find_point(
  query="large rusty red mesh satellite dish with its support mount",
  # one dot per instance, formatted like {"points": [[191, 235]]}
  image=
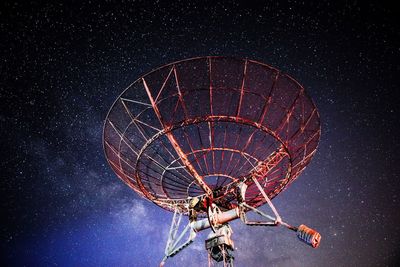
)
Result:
{"points": [[213, 138]]}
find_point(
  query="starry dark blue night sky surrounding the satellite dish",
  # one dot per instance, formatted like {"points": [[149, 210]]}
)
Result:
{"points": [[63, 65]]}
